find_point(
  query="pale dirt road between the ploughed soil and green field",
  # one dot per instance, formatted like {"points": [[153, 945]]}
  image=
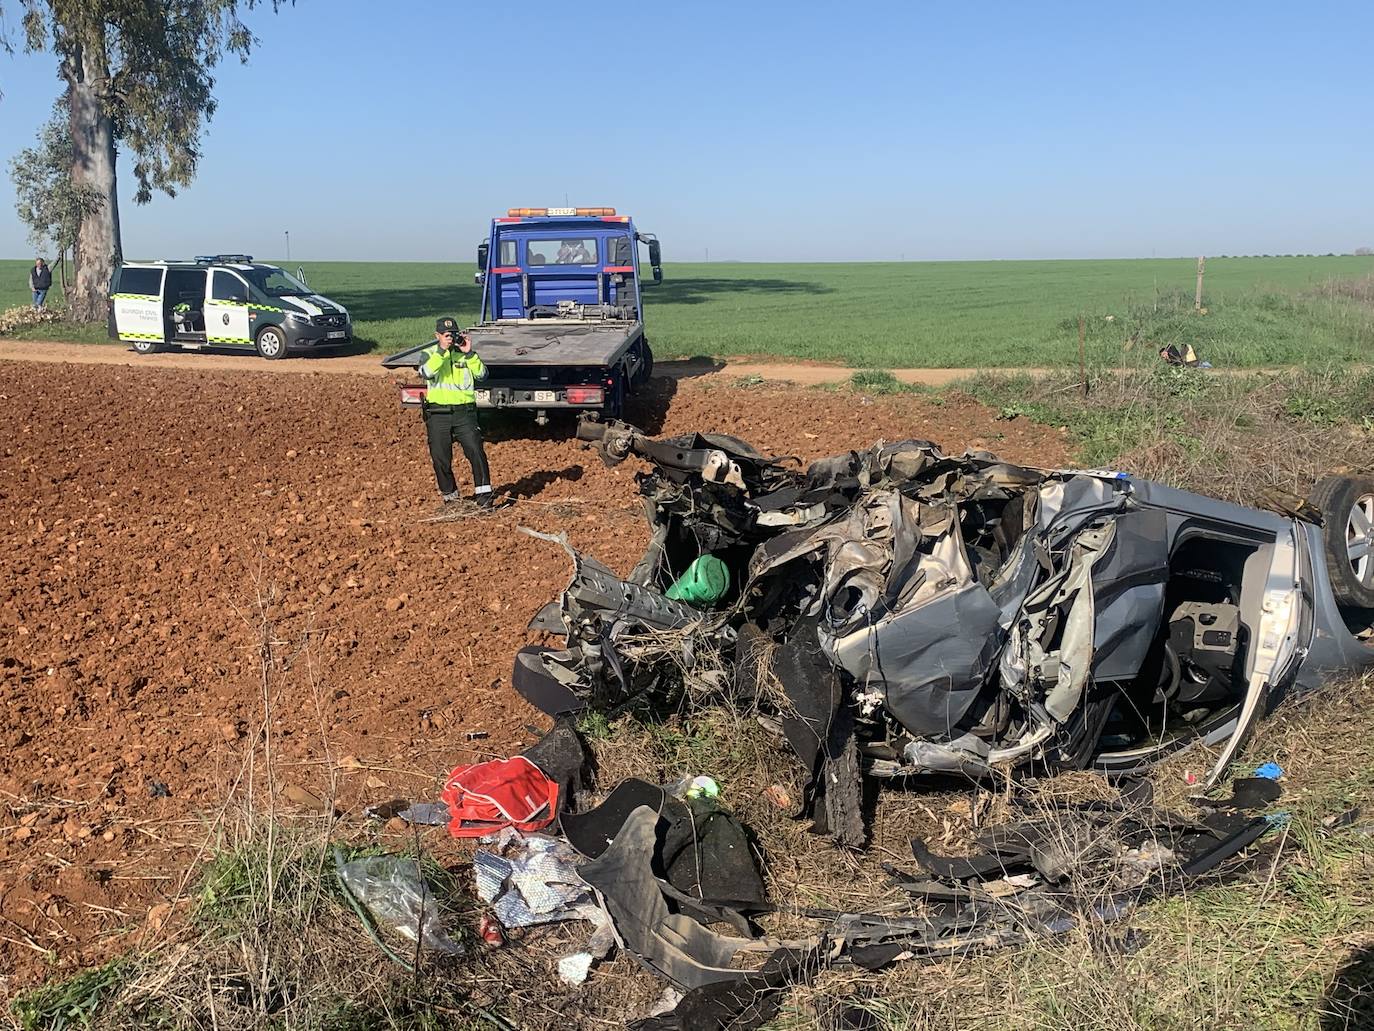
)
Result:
{"points": [[225, 359]]}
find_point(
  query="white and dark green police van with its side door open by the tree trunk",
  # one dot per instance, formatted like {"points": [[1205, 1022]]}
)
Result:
{"points": [[222, 300]]}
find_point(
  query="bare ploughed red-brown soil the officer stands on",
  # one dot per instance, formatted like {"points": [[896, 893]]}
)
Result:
{"points": [[159, 526]]}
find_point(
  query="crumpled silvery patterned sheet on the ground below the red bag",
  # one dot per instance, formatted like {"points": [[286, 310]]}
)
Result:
{"points": [[531, 880]]}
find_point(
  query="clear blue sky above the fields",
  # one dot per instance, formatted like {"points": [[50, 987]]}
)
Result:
{"points": [[776, 131]]}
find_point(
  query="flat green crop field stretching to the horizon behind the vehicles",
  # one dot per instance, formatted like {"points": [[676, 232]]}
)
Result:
{"points": [[943, 314]]}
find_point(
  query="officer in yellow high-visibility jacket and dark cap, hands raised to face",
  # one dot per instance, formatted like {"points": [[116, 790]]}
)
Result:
{"points": [[451, 368]]}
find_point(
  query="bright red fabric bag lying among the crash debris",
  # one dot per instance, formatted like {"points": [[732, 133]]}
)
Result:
{"points": [[499, 794]]}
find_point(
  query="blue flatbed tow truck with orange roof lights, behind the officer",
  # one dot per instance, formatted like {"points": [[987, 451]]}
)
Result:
{"points": [[561, 324]]}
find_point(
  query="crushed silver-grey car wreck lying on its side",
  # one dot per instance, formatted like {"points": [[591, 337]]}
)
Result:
{"points": [[908, 612]]}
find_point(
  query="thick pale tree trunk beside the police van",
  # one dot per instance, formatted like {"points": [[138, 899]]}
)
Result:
{"points": [[97, 252]]}
